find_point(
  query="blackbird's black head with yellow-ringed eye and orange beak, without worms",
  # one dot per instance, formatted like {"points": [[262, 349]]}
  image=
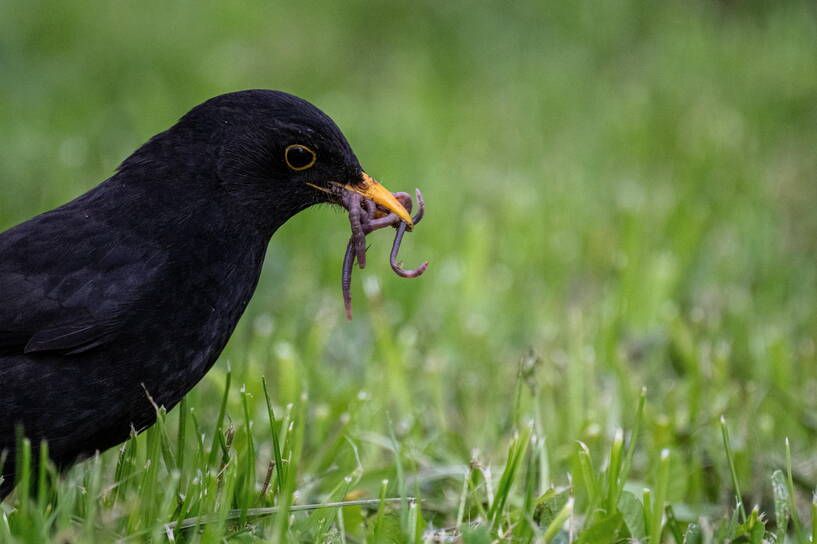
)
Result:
{"points": [[277, 154]]}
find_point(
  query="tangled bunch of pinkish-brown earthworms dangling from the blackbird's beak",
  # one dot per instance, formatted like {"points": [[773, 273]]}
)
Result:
{"points": [[363, 220]]}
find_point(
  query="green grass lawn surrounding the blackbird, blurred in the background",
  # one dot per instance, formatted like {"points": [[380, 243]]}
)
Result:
{"points": [[622, 234]]}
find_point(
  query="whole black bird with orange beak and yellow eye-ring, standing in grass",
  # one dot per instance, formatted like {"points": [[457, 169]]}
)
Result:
{"points": [[130, 291]]}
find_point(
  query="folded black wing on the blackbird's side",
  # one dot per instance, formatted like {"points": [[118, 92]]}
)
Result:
{"points": [[68, 287]]}
